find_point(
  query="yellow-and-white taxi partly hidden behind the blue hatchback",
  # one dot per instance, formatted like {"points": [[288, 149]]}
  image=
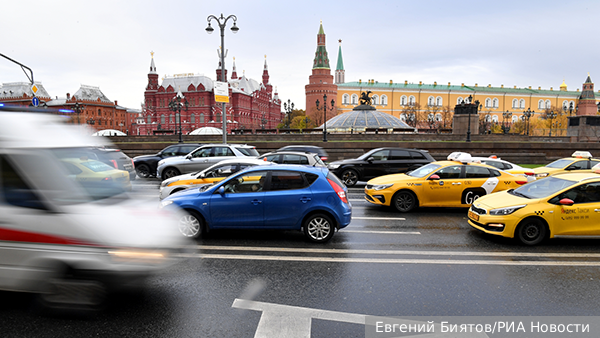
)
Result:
{"points": [[210, 175]]}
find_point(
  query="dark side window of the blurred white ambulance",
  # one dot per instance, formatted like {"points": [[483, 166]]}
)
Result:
{"points": [[14, 190]]}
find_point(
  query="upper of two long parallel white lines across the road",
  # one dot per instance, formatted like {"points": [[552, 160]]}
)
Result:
{"points": [[398, 252]]}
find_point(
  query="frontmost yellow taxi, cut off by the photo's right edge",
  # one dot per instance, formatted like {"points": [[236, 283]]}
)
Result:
{"points": [[566, 204]]}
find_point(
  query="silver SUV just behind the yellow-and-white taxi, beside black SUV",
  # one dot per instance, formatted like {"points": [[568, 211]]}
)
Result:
{"points": [[202, 158]]}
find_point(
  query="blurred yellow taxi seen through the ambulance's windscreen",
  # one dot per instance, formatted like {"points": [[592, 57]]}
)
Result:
{"points": [[96, 174]]}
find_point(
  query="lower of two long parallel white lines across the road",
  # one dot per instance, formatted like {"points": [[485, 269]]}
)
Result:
{"points": [[390, 261]]}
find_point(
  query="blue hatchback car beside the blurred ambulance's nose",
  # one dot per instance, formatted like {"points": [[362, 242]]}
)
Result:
{"points": [[282, 197]]}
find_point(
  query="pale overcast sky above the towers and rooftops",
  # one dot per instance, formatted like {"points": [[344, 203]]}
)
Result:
{"points": [[107, 44]]}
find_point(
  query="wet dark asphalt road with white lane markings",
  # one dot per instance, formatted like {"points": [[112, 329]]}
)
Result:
{"points": [[276, 284]]}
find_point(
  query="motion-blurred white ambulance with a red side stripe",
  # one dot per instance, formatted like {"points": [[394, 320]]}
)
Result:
{"points": [[70, 241]]}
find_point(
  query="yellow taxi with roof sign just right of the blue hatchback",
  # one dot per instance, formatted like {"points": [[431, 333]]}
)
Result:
{"points": [[456, 182]]}
